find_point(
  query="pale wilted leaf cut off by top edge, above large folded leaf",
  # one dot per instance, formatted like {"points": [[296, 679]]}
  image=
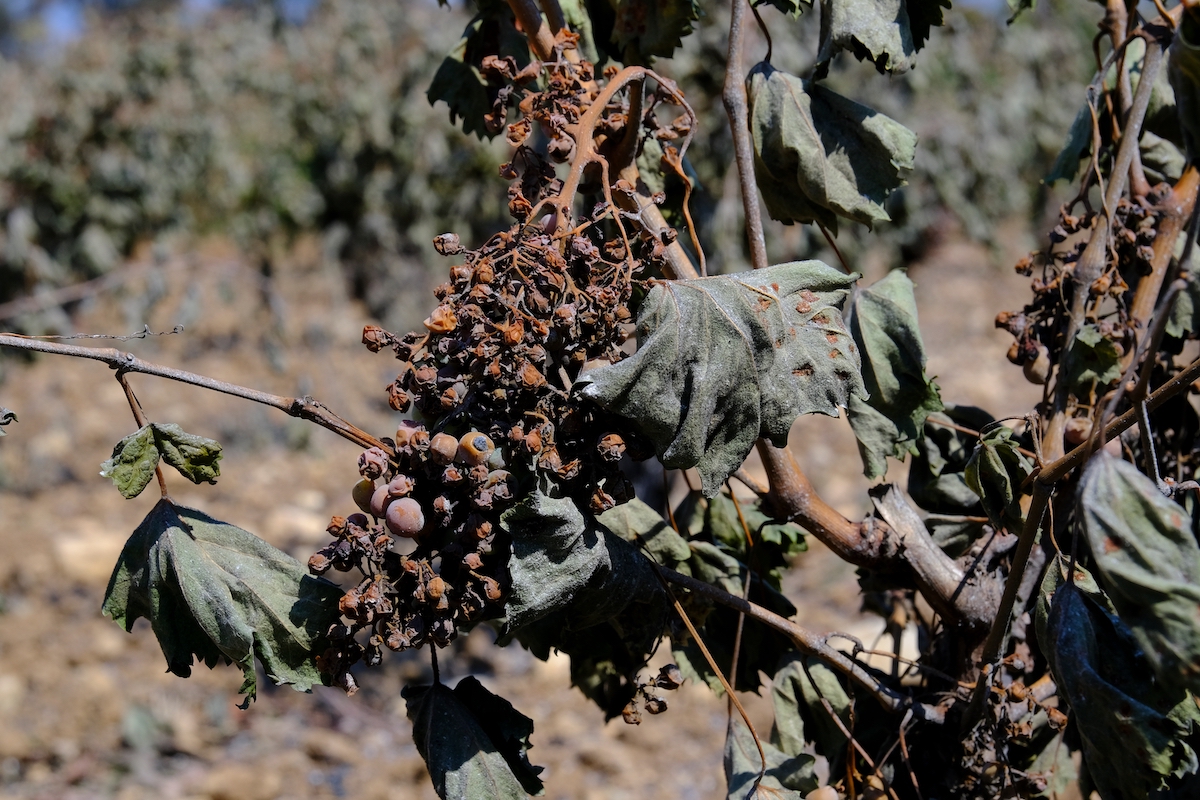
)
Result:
{"points": [[886, 33]]}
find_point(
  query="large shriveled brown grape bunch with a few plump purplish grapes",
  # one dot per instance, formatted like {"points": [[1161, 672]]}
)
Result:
{"points": [[490, 381]]}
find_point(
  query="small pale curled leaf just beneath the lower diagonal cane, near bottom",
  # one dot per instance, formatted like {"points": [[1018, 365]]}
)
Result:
{"points": [[797, 690]]}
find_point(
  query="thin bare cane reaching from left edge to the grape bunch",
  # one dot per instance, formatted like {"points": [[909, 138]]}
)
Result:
{"points": [[305, 408]]}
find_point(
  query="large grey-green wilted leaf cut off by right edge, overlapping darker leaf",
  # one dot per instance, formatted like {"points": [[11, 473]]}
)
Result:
{"points": [[1149, 564]]}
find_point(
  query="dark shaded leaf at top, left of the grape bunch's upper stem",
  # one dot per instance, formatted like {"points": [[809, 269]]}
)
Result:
{"points": [[459, 81]]}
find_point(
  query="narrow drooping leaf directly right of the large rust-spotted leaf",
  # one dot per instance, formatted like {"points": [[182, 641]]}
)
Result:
{"points": [[891, 422]]}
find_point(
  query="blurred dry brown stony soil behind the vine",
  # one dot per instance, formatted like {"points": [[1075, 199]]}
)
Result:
{"points": [[87, 709]]}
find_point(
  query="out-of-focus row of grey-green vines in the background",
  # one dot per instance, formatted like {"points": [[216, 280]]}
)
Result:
{"points": [[158, 128]]}
